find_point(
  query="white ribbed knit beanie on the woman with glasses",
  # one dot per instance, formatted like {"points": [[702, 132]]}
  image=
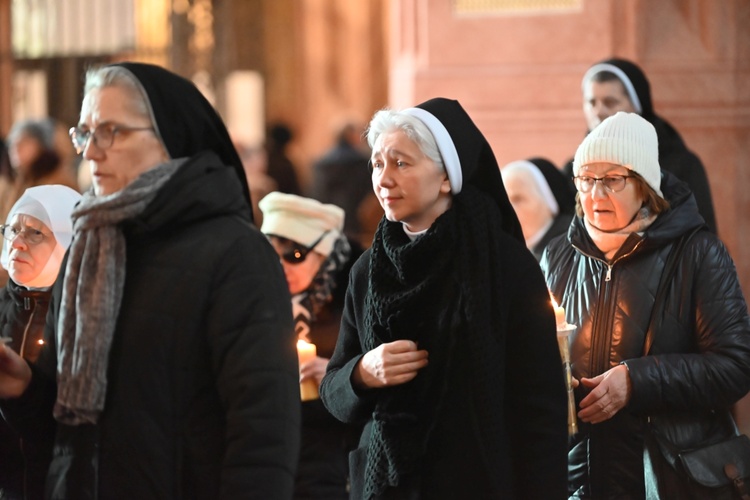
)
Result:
{"points": [[625, 139]]}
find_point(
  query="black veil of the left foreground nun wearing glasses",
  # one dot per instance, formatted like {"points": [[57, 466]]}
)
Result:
{"points": [[185, 121]]}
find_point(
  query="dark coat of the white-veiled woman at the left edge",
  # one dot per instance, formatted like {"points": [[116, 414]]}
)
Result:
{"points": [[23, 465]]}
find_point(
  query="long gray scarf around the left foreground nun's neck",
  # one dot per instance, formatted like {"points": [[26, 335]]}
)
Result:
{"points": [[92, 292]]}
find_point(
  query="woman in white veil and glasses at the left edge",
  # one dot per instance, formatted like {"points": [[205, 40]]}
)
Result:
{"points": [[36, 235]]}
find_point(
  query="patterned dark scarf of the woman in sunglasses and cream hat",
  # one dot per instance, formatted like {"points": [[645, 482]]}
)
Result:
{"points": [[307, 304]]}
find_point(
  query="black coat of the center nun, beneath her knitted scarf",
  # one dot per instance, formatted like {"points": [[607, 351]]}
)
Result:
{"points": [[456, 466]]}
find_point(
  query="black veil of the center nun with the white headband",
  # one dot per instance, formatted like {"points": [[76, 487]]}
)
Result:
{"points": [[478, 163]]}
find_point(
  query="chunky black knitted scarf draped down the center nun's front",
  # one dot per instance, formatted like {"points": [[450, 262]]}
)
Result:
{"points": [[437, 291]]}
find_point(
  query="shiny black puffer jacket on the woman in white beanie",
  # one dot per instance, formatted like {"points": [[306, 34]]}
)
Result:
{"points": [[700, 358]]}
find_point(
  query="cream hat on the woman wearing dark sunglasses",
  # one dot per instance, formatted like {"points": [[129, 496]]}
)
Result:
{"points": [[302, 220]]}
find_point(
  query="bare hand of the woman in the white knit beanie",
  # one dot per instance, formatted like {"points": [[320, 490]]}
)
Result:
{"points": [[610, 393]]}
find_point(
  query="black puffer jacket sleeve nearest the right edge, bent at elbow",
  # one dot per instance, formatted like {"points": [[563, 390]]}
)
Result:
{"points": [[715, 373]]}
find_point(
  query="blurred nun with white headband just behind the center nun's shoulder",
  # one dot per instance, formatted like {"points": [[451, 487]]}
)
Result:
{"points": [[540, 196]]}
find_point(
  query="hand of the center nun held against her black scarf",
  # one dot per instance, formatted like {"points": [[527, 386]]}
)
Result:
{"points": [[390, 364]]}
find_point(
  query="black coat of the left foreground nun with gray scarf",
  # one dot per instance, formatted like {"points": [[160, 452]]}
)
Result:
{"points": [[203, 393]]}
